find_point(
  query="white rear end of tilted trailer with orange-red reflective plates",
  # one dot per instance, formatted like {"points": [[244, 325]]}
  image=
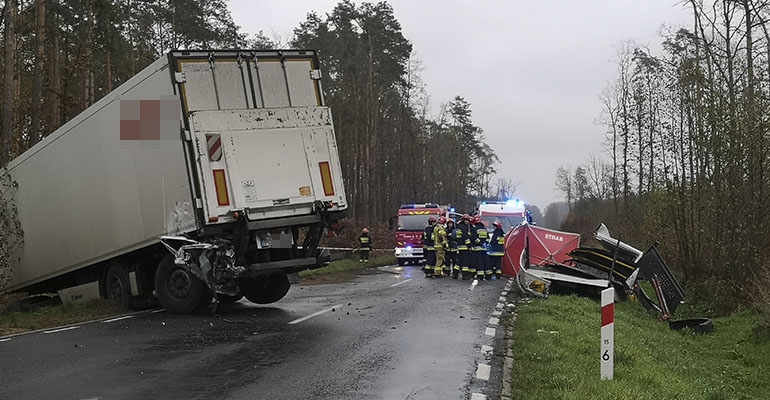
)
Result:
{"points": [[263, 141]]}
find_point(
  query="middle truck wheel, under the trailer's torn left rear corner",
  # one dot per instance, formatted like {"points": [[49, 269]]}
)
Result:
{"points": [[178, 291]]}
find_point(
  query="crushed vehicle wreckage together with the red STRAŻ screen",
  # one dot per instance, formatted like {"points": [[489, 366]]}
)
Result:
{"points": [[539, 258]]}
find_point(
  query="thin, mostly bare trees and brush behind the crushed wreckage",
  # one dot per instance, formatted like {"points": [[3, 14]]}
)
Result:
{"points": [[688, 146]]}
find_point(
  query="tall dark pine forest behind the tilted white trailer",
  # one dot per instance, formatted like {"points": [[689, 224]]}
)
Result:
{"points": [[59, 57]]}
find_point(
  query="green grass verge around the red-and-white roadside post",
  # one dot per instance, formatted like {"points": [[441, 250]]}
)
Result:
{"points": [[556, 355]]}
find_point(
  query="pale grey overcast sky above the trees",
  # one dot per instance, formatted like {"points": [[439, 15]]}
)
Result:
{"points": [[532, 70]]}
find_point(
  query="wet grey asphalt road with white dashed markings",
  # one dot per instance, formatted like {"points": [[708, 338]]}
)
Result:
{"points": [[388, 334]]}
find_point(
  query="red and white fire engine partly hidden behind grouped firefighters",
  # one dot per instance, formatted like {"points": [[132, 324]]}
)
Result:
{"points": [[412, 219]]}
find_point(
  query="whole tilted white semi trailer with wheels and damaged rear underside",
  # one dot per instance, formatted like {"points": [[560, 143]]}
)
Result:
{"points": [[209, 173]]}
